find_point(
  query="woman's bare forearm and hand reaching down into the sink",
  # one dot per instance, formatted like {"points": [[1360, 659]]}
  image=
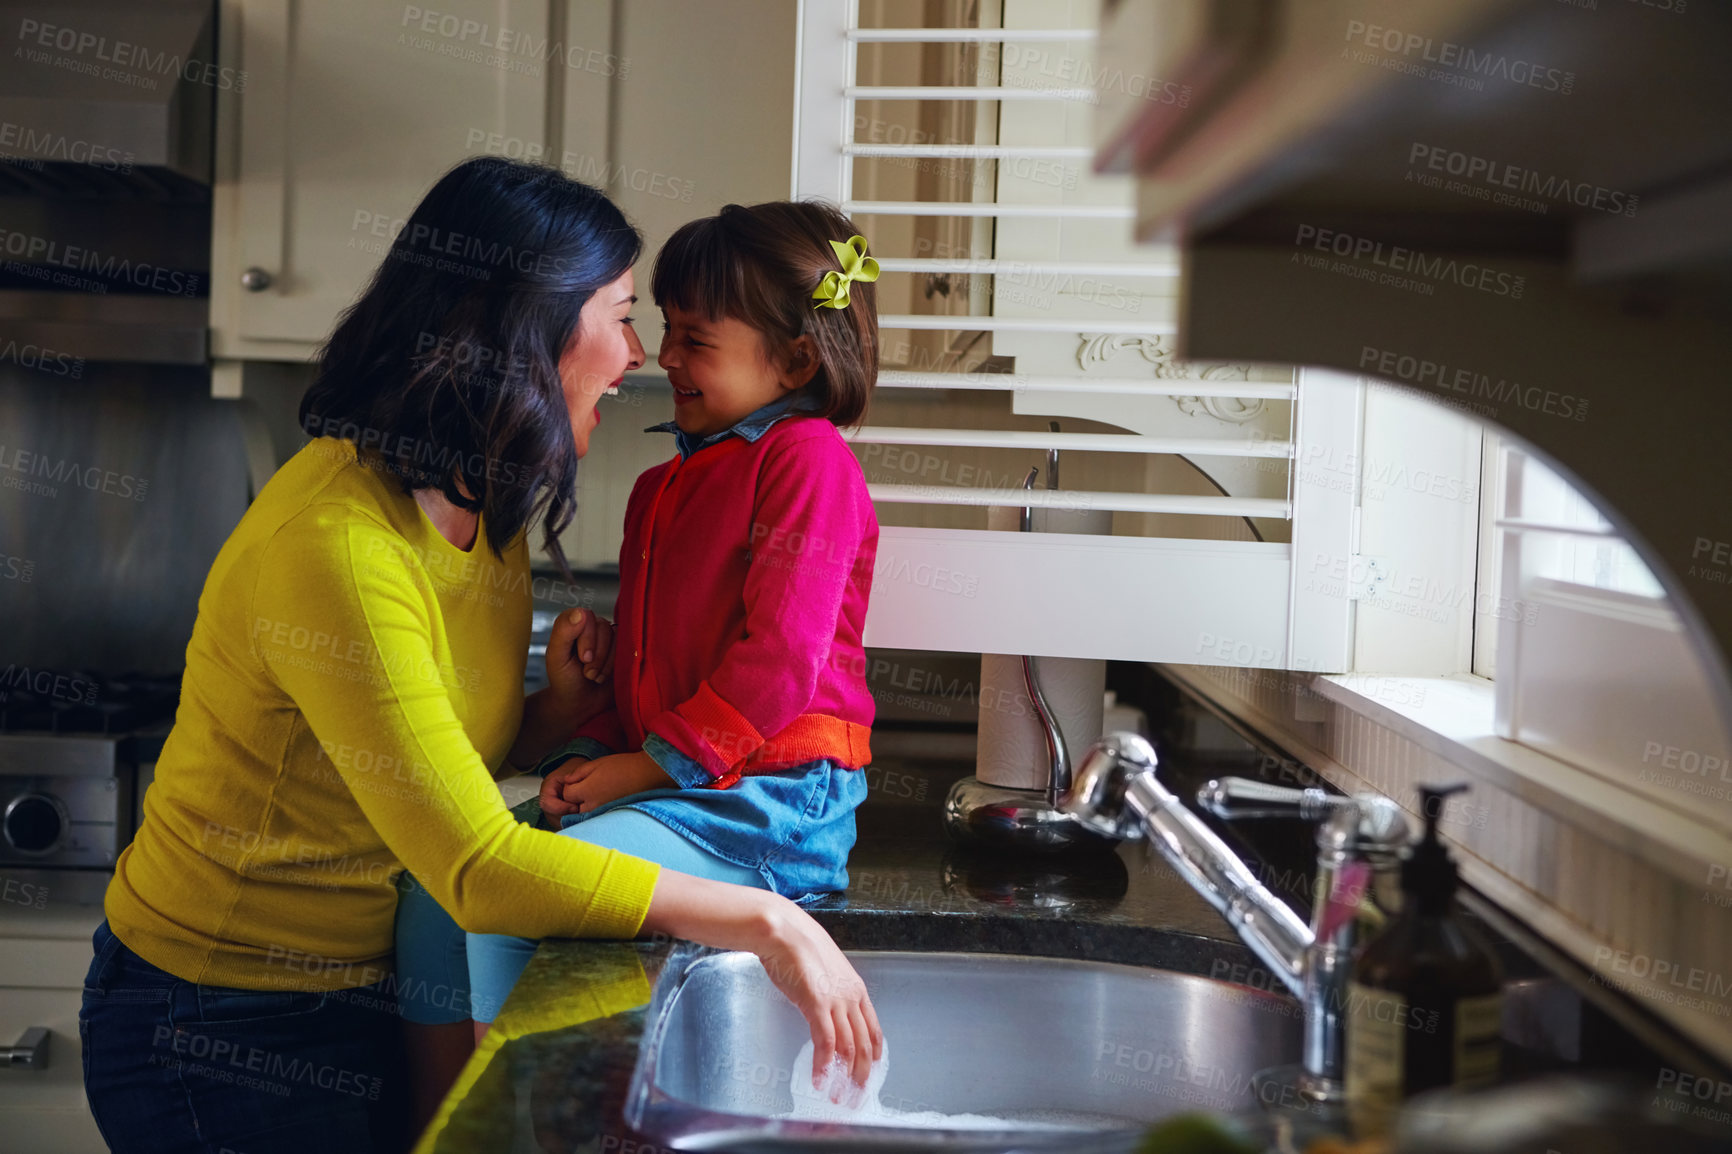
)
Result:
{"points": [[798, 954]]}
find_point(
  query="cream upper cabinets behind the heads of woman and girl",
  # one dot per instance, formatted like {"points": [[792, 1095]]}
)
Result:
{"points": [[354, 108]]}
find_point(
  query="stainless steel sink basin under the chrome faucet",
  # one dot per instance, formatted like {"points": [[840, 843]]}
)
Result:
{"points": [[1042, 1044]]}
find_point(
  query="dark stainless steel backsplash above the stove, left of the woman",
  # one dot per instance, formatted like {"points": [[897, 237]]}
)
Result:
{"points": [[117, 491]]}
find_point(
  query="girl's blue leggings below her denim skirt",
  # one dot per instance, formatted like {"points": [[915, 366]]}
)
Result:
{"points": [[449, 976]]}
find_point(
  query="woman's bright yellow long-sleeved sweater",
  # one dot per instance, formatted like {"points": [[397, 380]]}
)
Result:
{"points": [[351, 680]]}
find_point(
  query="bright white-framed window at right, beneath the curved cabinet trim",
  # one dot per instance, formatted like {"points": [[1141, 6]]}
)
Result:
{"points": [[1587, 658]]}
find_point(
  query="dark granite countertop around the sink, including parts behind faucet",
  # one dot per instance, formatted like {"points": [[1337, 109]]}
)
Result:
{"points": [[560, 1060]]}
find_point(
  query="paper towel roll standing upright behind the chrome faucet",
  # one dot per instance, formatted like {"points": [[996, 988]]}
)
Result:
{"points": [[1012, 751]]}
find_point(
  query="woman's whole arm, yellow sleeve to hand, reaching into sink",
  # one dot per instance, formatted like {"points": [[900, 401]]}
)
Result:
{"points": [[373, 684]]}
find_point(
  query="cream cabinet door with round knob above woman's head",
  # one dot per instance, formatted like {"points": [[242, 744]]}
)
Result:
{"points": [[347, 115]]}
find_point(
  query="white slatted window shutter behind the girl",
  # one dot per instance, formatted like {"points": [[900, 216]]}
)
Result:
{"points": [[1222, 496]]}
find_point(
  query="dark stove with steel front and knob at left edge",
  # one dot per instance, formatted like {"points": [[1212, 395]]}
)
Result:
{"points": [[72, 746]]}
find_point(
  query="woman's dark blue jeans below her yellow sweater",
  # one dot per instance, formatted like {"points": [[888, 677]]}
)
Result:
{"points": [[174, 1066]]}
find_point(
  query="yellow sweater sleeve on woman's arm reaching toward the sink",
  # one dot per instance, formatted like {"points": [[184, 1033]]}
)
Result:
{"points": [[415, 774]]}
